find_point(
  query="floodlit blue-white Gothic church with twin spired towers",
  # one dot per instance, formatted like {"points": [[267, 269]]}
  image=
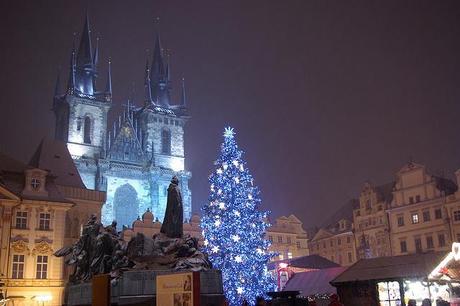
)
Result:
{"points": [[134, 159]]}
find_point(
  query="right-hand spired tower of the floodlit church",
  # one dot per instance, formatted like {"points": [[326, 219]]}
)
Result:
{"points": [[162, 124]]}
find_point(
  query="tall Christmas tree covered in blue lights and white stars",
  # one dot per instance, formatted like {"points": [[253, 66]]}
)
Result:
{"points": [[234, 228]]}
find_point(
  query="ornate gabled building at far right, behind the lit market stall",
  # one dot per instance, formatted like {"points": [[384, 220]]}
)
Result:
{"points": [[418, 216]]}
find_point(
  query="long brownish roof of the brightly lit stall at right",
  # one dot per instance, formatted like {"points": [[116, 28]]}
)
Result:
{"points": [[391, 267]]}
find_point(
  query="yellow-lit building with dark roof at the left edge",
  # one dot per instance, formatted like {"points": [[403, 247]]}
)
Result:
{"points": [[36, 203]]}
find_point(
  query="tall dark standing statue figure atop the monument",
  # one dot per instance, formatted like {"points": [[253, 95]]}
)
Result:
{"points": [[174, 217]]}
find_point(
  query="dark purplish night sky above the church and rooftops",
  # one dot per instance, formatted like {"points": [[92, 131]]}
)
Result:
{"points": [[324, 95]]}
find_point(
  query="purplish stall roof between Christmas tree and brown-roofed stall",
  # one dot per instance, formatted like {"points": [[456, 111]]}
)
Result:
{"points": [[314, 282]]}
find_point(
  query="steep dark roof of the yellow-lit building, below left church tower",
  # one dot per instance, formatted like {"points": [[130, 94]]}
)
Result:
{"points": [[54, 157]]}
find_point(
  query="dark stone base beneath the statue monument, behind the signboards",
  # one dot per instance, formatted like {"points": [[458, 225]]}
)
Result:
{"points": [[139, 288]]}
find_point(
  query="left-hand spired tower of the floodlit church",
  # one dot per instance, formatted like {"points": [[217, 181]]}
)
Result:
{"points": [[81, 112]]}
